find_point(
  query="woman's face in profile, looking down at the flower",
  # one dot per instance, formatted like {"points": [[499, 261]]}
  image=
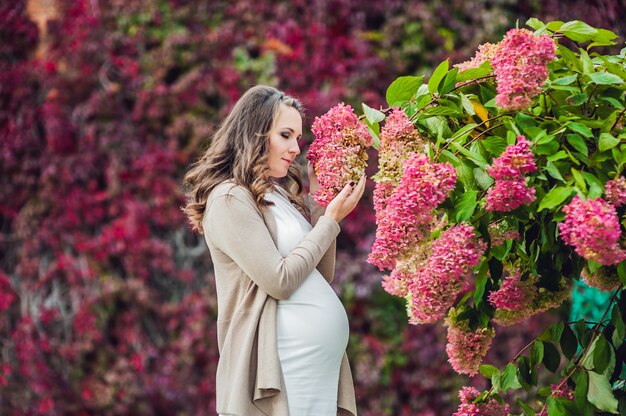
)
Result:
{"points": [[283, 141]]}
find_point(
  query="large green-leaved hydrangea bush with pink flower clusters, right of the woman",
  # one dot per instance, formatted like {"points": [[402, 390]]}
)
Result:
{"points": [[499, 206]]}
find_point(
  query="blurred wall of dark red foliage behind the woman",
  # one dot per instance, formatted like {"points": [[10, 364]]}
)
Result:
{"points": [[107, 304]]}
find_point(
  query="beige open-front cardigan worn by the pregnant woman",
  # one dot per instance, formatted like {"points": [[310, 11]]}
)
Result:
{"points": [[250, 276]]}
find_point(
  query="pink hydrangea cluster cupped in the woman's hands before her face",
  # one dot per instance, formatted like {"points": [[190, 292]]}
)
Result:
{"points": [[338, 153]]}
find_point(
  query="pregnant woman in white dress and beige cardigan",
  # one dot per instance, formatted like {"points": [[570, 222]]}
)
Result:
{"points": [[282, 332]]}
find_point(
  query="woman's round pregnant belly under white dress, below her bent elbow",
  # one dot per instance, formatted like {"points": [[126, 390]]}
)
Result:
{"points": [[312, 325]]}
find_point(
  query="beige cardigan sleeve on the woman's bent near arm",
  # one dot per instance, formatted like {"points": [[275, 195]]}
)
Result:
{"points": [[236, 227]]}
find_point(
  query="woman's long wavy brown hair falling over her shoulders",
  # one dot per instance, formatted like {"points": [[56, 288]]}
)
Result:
{"points": [[239, 152]]}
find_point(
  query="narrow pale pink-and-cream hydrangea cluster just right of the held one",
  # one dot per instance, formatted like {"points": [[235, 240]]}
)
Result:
{"points": [[398, 140]]}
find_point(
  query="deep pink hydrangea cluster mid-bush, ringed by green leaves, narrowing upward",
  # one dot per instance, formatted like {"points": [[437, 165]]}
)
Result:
{"points": [[510, 190]]}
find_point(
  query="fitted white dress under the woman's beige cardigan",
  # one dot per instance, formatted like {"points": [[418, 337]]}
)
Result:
{"points": [[312, 326]]}
